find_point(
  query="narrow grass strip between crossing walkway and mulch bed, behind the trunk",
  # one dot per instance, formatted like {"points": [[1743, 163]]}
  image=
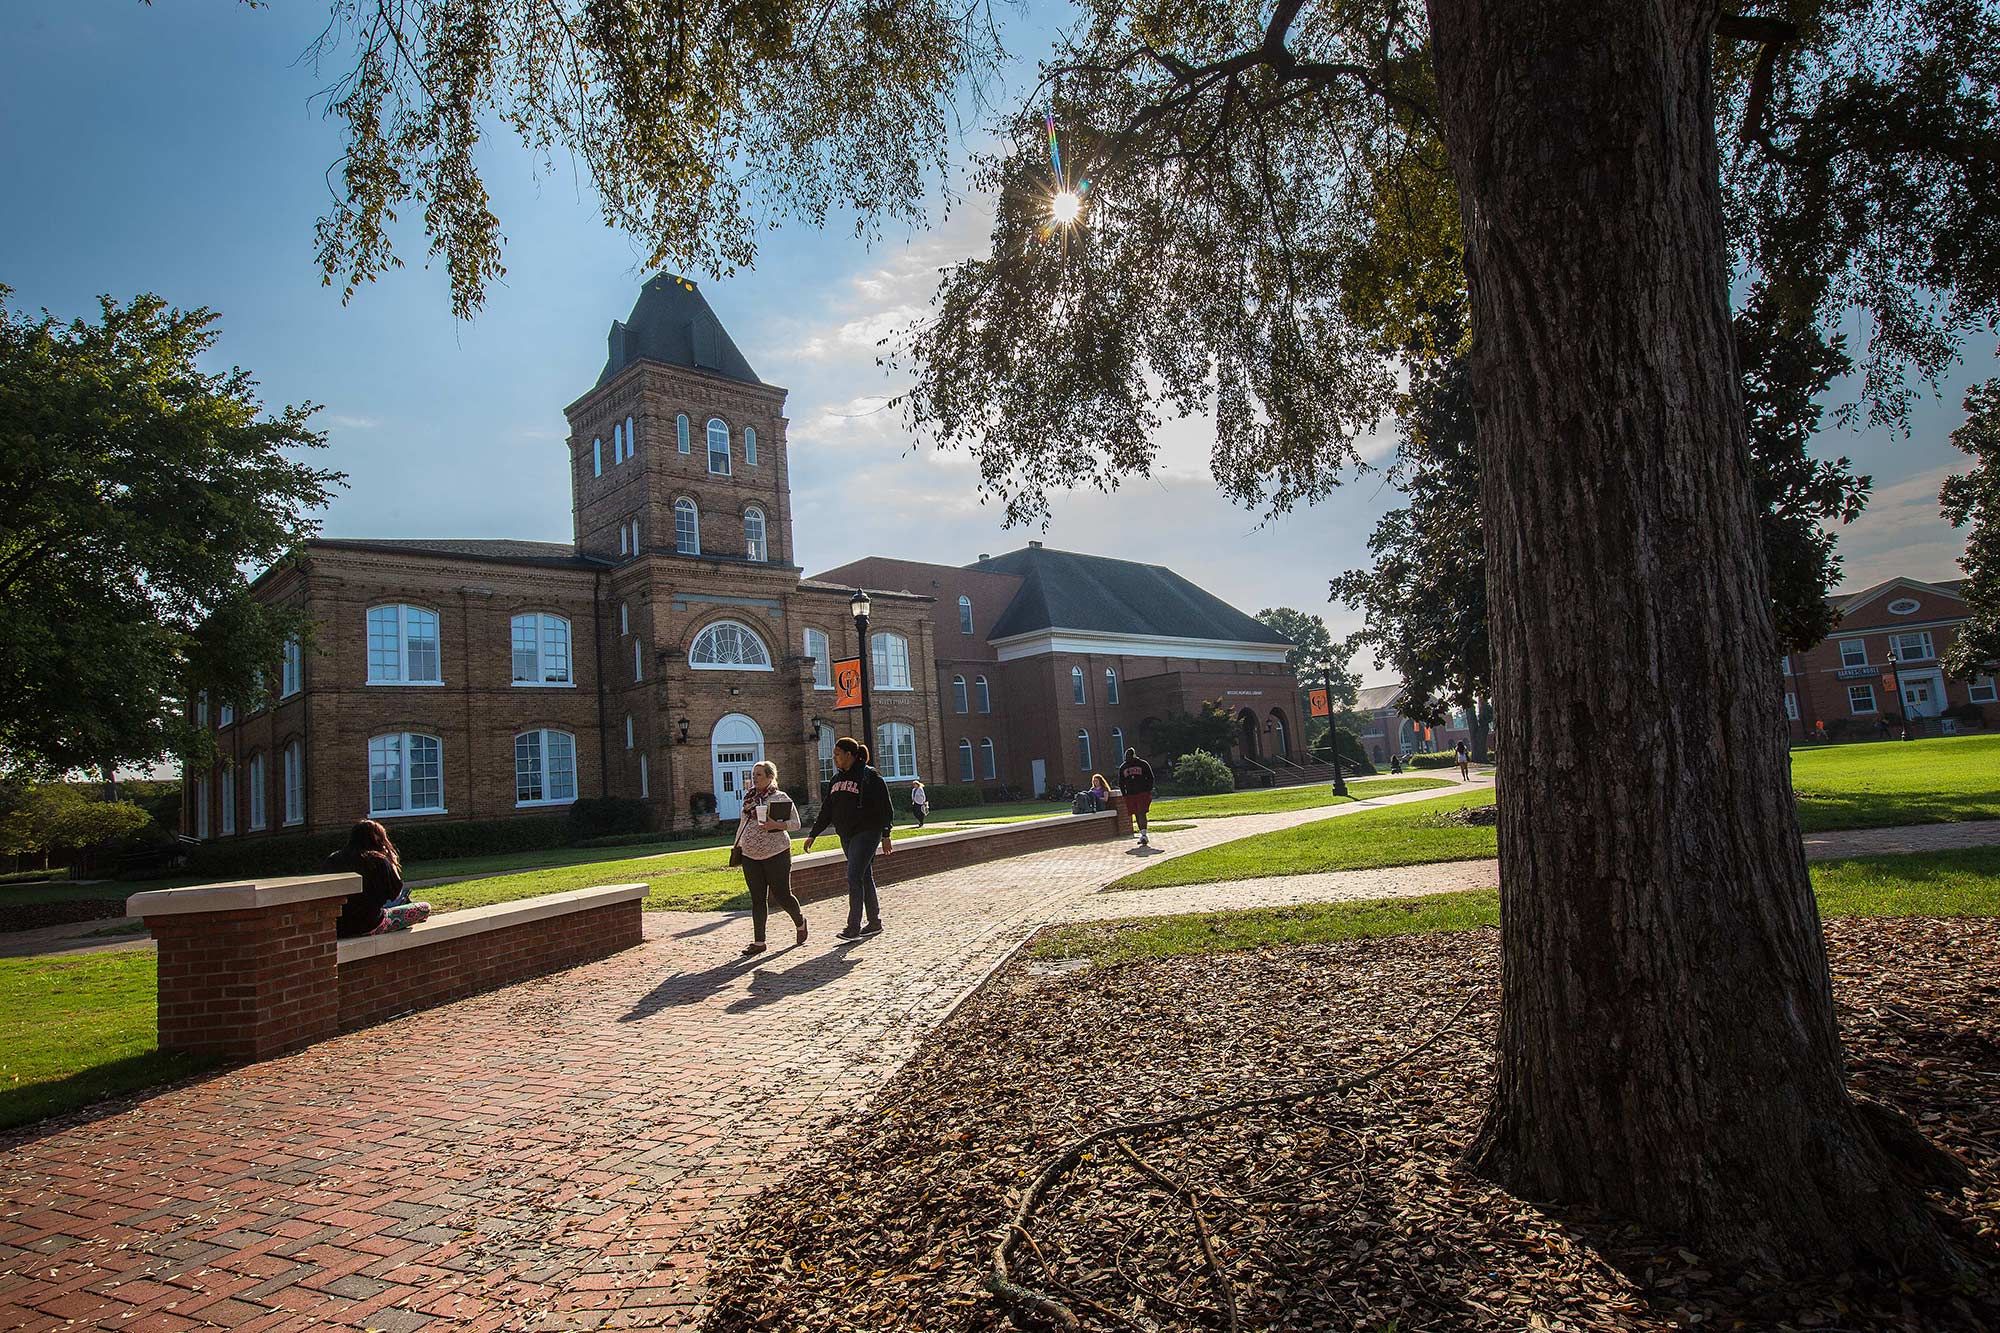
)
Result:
{"points": [[1957, 884]]}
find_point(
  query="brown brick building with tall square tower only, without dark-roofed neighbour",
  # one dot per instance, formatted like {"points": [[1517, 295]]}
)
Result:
{"points": [[661, 653]]}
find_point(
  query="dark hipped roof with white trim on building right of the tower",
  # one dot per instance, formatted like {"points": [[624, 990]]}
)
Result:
{"points": [[1063, 589]]}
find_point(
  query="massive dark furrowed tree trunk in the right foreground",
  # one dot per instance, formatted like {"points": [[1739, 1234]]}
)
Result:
{"points": [[1667, 1034]]}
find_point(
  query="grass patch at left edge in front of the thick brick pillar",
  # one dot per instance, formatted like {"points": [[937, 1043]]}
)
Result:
{"points": [[79, 1030]]}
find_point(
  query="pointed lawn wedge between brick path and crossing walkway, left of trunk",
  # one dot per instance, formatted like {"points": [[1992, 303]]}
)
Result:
{"points": [[1399, 836]]}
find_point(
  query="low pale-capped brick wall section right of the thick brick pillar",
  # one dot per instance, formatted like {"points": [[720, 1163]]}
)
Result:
{"points": [[485, 948]]}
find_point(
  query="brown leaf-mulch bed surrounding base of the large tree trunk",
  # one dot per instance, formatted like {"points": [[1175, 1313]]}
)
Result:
{"points": [[1339, 1214]]}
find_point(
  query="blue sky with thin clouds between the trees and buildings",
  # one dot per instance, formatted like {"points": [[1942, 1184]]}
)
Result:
{"points": [[177, 149]]}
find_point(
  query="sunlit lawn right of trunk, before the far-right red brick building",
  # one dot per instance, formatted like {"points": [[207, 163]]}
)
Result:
{"points": [[1897, 784]]}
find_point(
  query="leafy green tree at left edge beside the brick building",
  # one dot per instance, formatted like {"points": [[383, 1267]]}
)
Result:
{"points": [[133, 493]]}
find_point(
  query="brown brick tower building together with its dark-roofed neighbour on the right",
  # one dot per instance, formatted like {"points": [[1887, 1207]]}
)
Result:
{"points": [[677, 641]]}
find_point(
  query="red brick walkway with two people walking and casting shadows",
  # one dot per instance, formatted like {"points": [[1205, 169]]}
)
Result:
{"points": [[551, 1156]]}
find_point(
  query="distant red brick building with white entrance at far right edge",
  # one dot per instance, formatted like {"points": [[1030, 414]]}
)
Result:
{"points": [[1855, 686]]}
